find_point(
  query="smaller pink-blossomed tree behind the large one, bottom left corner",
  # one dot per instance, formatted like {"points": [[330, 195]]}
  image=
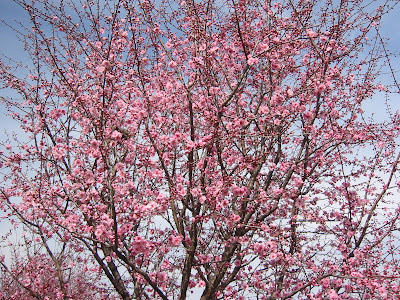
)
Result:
{"points": [[39, 277]]}
